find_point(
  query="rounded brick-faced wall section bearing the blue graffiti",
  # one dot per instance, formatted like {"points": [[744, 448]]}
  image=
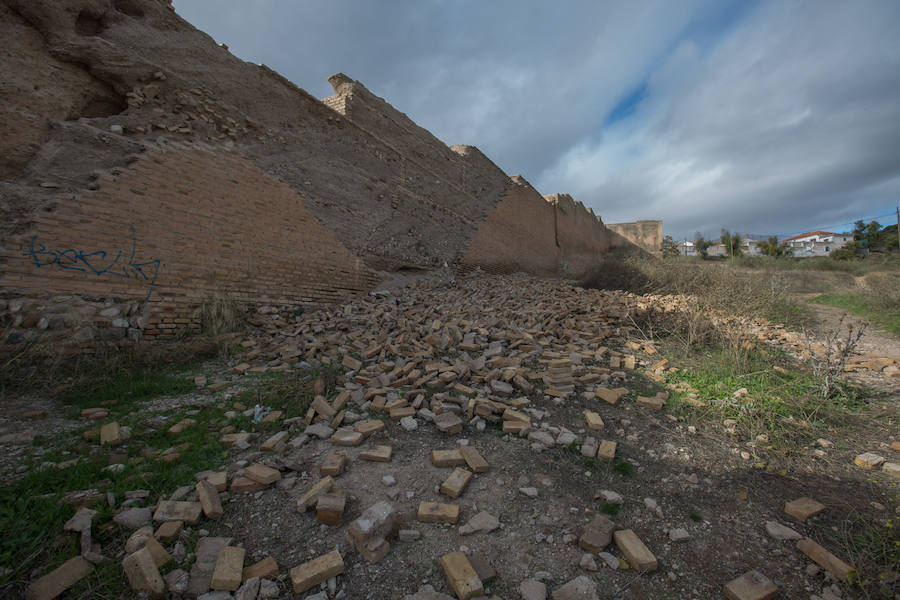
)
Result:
{"points": [[174, 229]]}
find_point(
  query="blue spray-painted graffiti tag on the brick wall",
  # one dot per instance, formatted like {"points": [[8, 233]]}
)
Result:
{"points": [[96, 262]]}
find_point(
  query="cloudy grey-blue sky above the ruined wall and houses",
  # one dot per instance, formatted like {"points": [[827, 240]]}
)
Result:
{"points": [[765, 117]]}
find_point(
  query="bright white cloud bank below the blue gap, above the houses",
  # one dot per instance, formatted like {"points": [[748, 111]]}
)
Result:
{"points": [[791, 122]]}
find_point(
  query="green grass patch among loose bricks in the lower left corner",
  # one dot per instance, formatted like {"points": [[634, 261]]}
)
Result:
{"points": [[32, 516]]}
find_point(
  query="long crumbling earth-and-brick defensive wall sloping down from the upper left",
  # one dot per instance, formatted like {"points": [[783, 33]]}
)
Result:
{"points": [[144, 170]]}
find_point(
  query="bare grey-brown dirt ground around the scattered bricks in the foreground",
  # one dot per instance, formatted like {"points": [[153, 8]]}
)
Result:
{"points": [[672, 473]]}
